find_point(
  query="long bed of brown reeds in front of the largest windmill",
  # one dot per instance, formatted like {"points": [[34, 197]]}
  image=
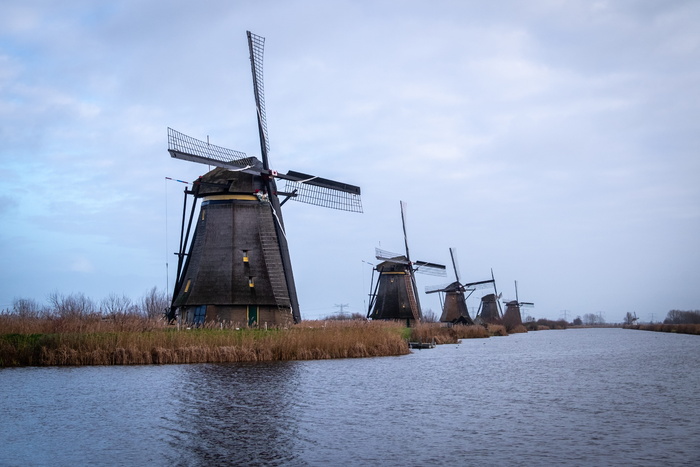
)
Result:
{"points": [[156, 343]]}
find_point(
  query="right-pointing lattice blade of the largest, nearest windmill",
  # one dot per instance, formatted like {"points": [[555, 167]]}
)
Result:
{"points": [[322, 191]]}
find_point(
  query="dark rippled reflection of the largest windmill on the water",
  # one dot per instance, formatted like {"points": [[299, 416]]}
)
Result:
{"points": [[239, 410]]}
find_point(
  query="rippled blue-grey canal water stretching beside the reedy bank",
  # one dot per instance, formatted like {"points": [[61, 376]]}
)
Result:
{"points": [[574, 397]]}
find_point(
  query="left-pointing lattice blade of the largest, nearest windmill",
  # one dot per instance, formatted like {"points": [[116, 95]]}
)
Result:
{"points": [[181, 146]]}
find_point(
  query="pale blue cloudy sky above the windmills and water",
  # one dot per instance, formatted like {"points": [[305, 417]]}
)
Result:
{"points": [[555, 142]]}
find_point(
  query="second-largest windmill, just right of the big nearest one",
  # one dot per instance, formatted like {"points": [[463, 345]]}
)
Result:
{"points": [[395, 295]]}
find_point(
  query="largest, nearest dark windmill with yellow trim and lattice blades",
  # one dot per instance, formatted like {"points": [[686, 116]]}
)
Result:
{"points": [[238, 267]]}
